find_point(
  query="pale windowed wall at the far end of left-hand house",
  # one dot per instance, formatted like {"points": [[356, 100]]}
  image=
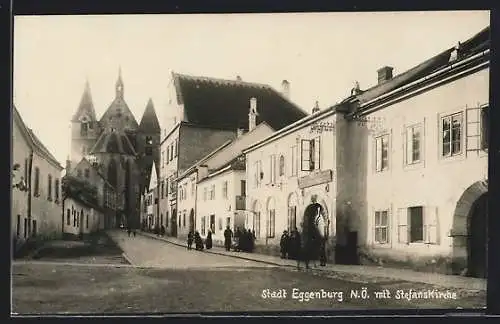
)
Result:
{"points": [[46, 210]]}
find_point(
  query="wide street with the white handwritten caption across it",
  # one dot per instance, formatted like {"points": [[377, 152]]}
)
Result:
{"points": [[177, 280]]}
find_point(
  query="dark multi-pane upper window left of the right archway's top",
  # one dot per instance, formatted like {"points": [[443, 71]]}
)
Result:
{"points": [[451, 134]]}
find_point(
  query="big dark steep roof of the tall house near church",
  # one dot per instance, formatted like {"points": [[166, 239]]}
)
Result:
{"points": [[225, 103]]}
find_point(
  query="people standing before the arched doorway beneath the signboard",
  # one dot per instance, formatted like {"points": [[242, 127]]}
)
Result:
{"points": [[310, 248]]}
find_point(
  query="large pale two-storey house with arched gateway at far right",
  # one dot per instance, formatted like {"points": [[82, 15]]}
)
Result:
{"points": [[416, 167]]}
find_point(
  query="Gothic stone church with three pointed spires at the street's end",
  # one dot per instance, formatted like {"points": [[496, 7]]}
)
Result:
{"points": [[119, 147]]}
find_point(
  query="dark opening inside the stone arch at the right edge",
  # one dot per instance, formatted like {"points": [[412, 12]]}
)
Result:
{"points": [[477, 247]]}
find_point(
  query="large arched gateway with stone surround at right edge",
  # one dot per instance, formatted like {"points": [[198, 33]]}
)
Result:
{"points": [[470, 231]]}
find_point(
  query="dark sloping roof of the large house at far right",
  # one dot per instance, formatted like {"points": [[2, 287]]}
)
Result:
{"points": [[474, 45]]}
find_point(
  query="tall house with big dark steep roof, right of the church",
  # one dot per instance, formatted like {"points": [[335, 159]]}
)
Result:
{"points": [[203, 114]]}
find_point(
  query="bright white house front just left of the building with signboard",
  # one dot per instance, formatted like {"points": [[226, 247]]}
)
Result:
{"points": [[222, 207]]}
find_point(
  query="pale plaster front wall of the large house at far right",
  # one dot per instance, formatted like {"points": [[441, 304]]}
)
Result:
{"points": [[436, 183]]}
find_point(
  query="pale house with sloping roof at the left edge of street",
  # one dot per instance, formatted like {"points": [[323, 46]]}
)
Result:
{"points": [[36, 189]]}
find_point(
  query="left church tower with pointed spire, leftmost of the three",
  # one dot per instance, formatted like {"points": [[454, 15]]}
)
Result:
{"points": [[84, 127]]}
